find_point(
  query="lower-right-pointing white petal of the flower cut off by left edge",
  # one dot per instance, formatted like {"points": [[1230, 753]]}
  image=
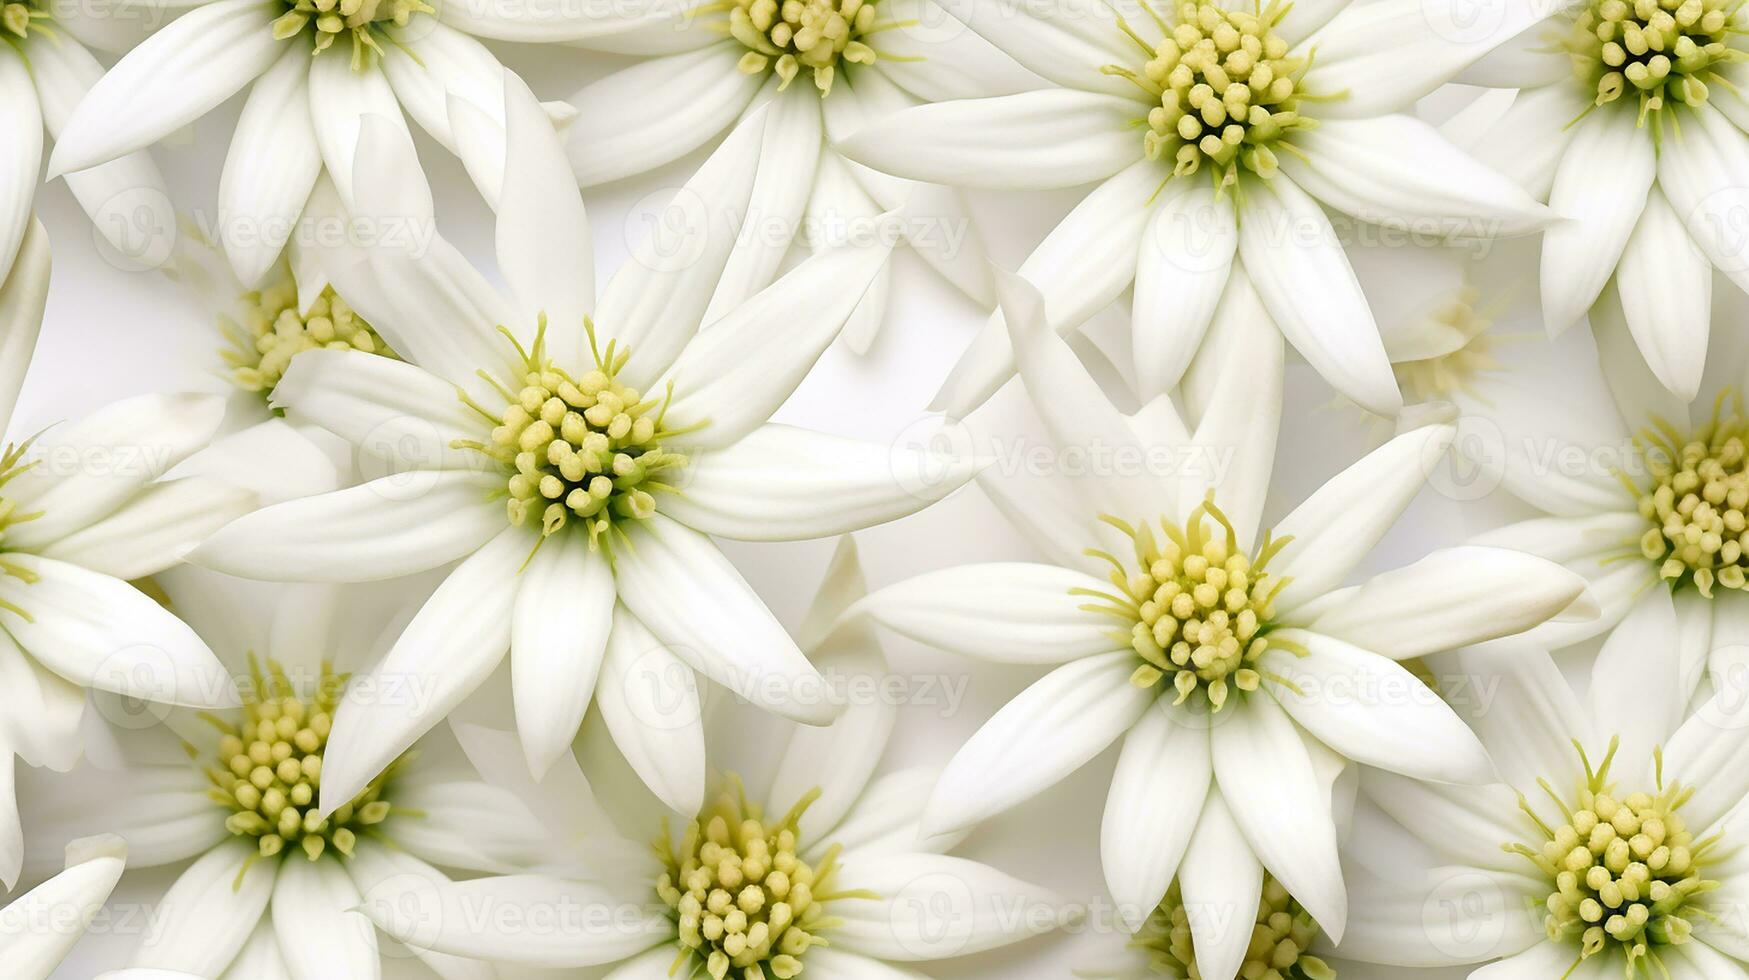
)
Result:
{"points": [[101, 633]]}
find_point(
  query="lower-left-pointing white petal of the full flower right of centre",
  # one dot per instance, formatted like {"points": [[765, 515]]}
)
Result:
{"points": [[1047, 732]]}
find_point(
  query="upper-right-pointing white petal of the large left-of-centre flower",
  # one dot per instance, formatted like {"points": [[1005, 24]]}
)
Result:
{"points": [[739, 372]]}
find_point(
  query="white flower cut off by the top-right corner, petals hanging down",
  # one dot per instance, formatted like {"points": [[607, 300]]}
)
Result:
{"points": [[1629, 122]]}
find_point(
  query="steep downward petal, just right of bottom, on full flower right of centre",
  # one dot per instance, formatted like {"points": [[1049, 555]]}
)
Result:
{"points": [[1267, 781]]}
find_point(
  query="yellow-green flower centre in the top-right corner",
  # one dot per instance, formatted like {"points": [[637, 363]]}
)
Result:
{"points": [[1657, 50]]}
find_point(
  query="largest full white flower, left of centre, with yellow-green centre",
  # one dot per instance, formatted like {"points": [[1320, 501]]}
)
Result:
{"points": [[575, 500]]}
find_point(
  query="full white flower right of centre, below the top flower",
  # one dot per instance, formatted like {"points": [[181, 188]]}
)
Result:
{"points": [[1232, 664]]}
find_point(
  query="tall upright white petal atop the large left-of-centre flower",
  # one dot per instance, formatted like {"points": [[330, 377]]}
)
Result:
{"points": [[543, 237]]}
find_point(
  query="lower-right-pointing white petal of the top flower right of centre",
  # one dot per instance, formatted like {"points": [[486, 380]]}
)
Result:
{"points": [[1299, 267]]}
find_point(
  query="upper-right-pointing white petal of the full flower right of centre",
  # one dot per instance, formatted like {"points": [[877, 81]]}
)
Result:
{"points": [[1341, 522]]}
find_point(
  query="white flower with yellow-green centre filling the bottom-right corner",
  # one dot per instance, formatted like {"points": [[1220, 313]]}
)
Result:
{"points": [[1612, 848]]}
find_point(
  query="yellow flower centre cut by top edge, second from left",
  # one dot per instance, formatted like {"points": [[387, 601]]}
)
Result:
{"points": [[804, 34]]}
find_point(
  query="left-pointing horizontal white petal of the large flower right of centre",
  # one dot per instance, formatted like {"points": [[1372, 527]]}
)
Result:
{"points": [[1007, 613]]}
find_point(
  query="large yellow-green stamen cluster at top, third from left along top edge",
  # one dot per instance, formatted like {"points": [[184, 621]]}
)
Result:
{"points": [[1229, 92]]}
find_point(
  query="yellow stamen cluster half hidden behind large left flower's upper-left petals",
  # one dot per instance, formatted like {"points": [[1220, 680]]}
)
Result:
{"points": [[274, 332]]}
